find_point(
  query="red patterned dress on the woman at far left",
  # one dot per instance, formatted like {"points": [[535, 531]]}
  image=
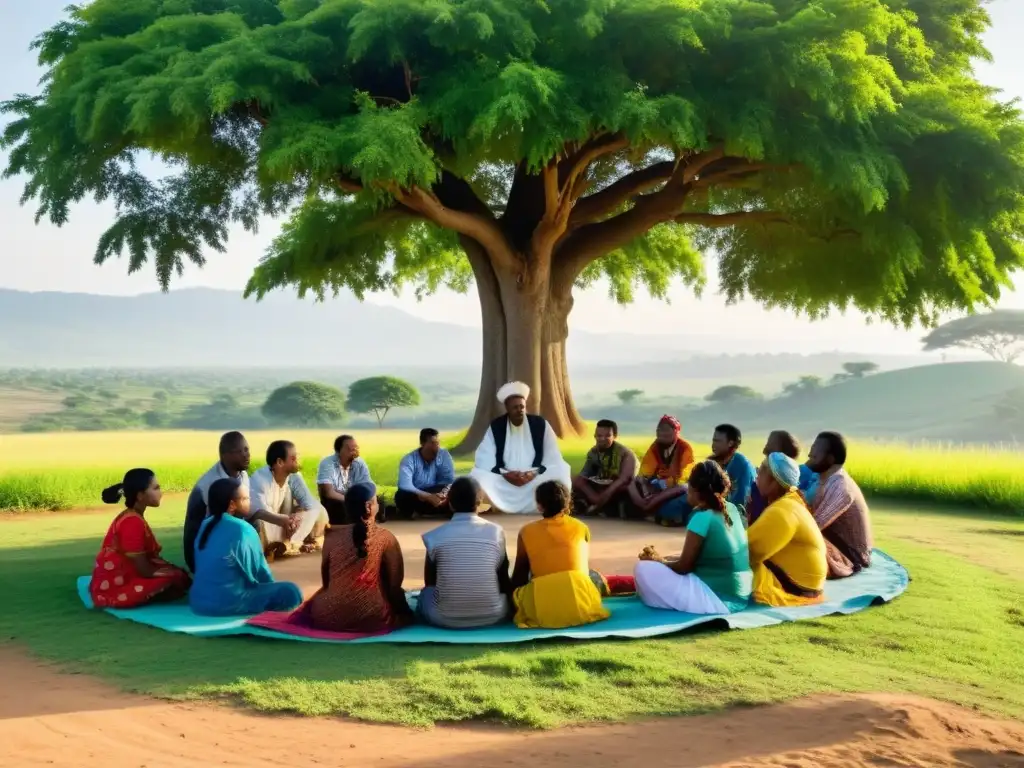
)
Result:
{"points": [[116, 582]]}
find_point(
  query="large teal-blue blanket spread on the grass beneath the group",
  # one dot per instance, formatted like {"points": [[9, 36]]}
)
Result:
{"points": [[885, 581]]}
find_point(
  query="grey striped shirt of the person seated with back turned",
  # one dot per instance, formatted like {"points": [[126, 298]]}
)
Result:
{"points": [[467, 552]]}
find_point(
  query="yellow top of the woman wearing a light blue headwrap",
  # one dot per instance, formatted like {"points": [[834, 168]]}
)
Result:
{"points": [[787, 540]]}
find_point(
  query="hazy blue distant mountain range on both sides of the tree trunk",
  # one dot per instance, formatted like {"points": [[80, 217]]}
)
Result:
{"points": [[205, 328]]}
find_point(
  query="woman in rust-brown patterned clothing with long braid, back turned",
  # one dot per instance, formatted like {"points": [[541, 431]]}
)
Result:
{"points": [[363, 571]]}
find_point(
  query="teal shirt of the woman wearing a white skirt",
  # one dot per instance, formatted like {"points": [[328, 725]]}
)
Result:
{"points": [[724, 563]]}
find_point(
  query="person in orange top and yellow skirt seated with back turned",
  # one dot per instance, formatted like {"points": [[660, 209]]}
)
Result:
{"points": [[551, 579]]}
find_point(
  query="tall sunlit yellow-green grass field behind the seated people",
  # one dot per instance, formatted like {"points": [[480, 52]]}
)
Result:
{"points": [[66, 471]]}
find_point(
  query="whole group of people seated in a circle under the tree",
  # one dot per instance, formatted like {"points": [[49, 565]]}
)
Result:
{"points": [[773, 536]]}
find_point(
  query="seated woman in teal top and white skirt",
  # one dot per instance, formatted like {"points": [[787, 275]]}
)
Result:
{"points": [[713, 574]]}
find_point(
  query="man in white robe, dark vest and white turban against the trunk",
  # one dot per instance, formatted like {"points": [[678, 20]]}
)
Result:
{"points": [[520, 452]]}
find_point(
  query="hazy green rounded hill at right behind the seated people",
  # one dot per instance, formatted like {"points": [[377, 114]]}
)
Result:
{"points": [[952, 402]]}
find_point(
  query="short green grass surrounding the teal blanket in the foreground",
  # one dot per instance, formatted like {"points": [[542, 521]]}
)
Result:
{"points": [[956, 635]]}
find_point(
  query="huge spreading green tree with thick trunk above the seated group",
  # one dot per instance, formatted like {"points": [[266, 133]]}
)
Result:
{"points": [[829, 153]]}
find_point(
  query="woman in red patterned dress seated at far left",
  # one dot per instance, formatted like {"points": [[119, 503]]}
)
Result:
{"points": [[130, 571]]}
